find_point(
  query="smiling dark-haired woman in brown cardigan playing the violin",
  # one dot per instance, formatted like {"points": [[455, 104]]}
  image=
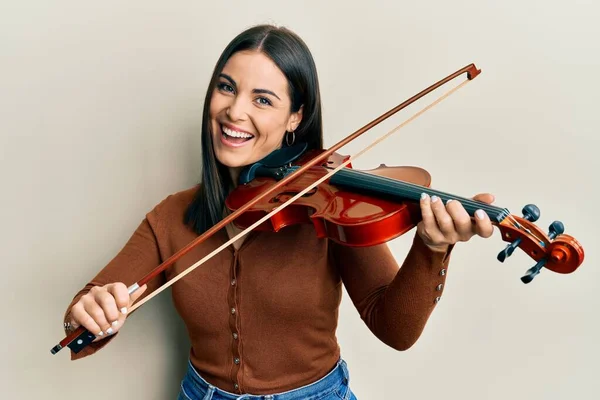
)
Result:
{"points": [[262, 314]]}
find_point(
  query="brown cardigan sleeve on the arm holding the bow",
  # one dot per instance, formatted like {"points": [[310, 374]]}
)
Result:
{"points": [[139, 256]]}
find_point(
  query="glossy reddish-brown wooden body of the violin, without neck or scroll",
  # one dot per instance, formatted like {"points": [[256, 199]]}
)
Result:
{"points": [[348, 217]]}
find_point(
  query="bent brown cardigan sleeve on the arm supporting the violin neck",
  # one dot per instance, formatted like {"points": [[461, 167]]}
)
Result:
{"points": [[394, 302]]}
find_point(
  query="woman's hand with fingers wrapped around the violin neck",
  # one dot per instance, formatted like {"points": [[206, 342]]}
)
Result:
{"points": [[446, 224]]}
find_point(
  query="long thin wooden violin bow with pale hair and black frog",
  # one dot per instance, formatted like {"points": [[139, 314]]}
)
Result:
{"points": [[81, 337]]}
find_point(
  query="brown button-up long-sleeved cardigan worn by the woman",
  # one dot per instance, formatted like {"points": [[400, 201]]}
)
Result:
{"points": [[263, 319]]}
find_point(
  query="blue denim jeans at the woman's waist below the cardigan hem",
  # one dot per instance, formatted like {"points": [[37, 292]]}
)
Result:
{"points": [[333, 386]]}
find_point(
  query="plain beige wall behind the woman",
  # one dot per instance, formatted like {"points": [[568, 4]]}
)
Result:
{"points": [[100, 116]]}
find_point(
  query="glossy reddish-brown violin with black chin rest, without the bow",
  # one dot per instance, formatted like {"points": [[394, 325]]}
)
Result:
{"points": [[365, 208]]}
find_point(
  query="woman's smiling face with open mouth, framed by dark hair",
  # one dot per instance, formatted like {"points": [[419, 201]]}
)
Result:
{"points": [[250, 110]]}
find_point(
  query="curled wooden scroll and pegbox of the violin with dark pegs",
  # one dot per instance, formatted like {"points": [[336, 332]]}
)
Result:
{"points": [[556, 251]]}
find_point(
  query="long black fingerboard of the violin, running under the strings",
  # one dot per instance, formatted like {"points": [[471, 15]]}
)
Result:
{"points": [[399, 190]]}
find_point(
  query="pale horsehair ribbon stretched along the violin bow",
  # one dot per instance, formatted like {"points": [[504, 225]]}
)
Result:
{"points": [[292, 199]]}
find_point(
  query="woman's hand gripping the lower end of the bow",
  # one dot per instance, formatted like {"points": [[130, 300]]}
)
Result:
{"points": [[103, 310]]}
